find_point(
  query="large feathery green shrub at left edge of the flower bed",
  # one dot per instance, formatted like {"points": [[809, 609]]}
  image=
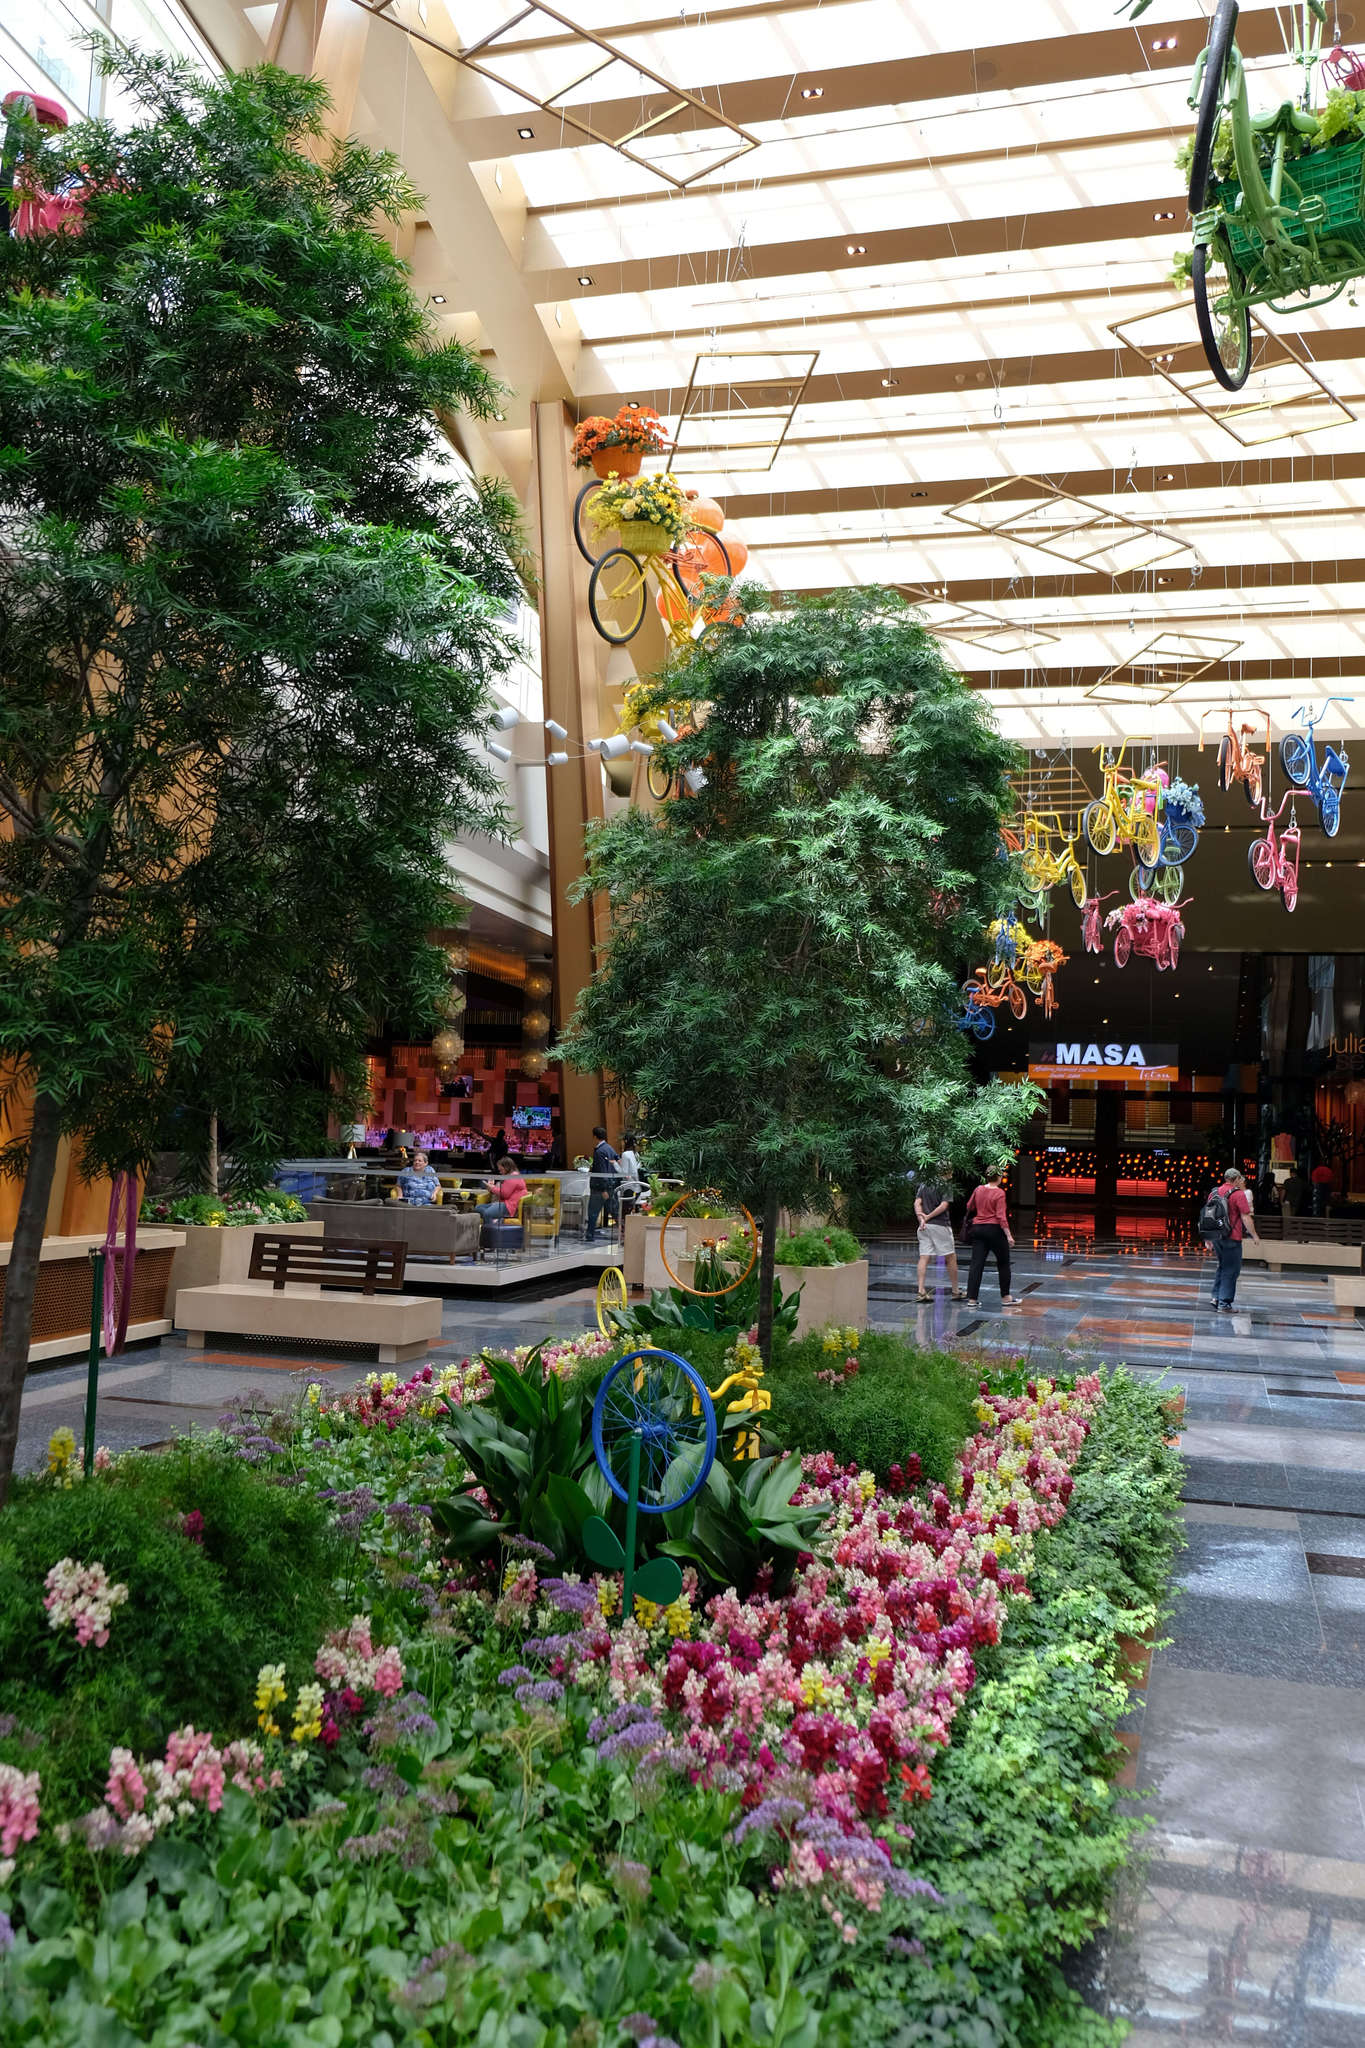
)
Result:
{"points": [[226, 1570]]}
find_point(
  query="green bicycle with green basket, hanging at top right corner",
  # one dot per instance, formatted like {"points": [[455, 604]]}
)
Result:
{"points": [[1288, 220]]}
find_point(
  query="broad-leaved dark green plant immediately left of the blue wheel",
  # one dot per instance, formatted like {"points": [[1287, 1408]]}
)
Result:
{"points": [[531, 1451]]}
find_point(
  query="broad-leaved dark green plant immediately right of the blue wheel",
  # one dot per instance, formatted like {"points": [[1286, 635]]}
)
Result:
{"points": [[744, 1521]]}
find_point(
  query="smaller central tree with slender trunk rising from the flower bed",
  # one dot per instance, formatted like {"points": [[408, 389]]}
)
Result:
{"points": [[787, 943]]}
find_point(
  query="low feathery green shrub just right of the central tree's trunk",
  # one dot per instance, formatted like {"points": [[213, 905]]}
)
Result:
{"points": [[899, 1404]]}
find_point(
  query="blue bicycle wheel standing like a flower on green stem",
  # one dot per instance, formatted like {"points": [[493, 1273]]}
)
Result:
{"points": [[658, 1402]]}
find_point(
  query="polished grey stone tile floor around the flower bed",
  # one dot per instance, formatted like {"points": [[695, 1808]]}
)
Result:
{"points": [[1245, 1922]]}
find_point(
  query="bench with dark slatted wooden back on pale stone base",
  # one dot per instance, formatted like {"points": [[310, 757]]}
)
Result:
{"points": [[318, 1289]]}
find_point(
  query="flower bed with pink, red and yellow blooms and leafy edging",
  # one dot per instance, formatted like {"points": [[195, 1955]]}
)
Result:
{"points": [[725, 1822]]}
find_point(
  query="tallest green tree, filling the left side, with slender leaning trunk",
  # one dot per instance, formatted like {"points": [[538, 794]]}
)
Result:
{"points": [[249, 620]]}
